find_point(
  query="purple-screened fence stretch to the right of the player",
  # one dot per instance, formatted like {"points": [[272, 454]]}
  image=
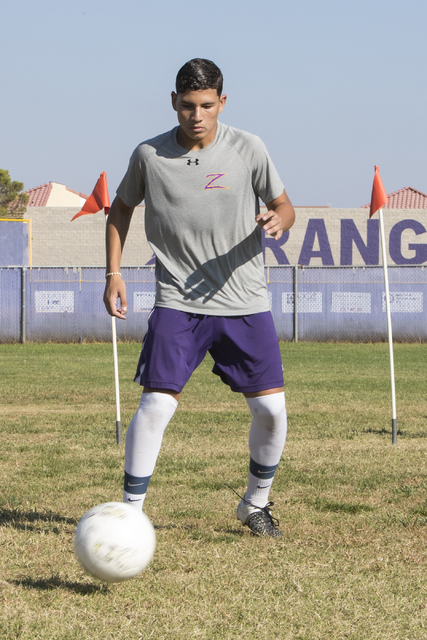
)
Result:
{"points": [[348, 303]]}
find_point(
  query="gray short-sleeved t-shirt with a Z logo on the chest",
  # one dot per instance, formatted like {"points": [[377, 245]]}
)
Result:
{"points": [[200, 219]]}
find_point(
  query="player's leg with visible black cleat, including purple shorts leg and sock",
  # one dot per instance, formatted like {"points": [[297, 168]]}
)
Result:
{"points": [[247, 358]]}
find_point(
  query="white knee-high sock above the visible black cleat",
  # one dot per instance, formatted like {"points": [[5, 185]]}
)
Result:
{"points": [[267, 438]]}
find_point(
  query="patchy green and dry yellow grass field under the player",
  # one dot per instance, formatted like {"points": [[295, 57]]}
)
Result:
{"points": [[352, 507]]}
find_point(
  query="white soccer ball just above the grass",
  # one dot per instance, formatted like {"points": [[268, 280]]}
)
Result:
{"points": [[114, 541]]}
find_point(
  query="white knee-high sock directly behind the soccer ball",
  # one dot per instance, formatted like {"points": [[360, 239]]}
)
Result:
{"points": [[143, 441]]}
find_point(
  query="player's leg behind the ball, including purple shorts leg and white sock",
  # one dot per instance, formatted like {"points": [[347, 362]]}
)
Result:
{"points": [[174, 345]]}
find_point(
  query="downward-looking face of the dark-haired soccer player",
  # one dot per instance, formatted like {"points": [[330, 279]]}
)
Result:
{"points": [[198, 113]]}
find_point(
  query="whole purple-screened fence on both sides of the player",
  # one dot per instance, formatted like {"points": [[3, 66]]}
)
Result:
{"points": [[307, 303]]}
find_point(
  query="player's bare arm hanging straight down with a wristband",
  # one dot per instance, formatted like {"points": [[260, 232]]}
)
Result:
{"points": [[118, 222]]}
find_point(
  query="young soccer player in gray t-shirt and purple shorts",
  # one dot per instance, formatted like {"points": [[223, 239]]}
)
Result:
{"points": [[201, 183]]}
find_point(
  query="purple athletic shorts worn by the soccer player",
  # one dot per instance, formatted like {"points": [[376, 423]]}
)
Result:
{"points": [[245, 350]]}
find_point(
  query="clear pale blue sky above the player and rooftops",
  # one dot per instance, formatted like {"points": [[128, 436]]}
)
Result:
{"points": [[332, 87]]}
